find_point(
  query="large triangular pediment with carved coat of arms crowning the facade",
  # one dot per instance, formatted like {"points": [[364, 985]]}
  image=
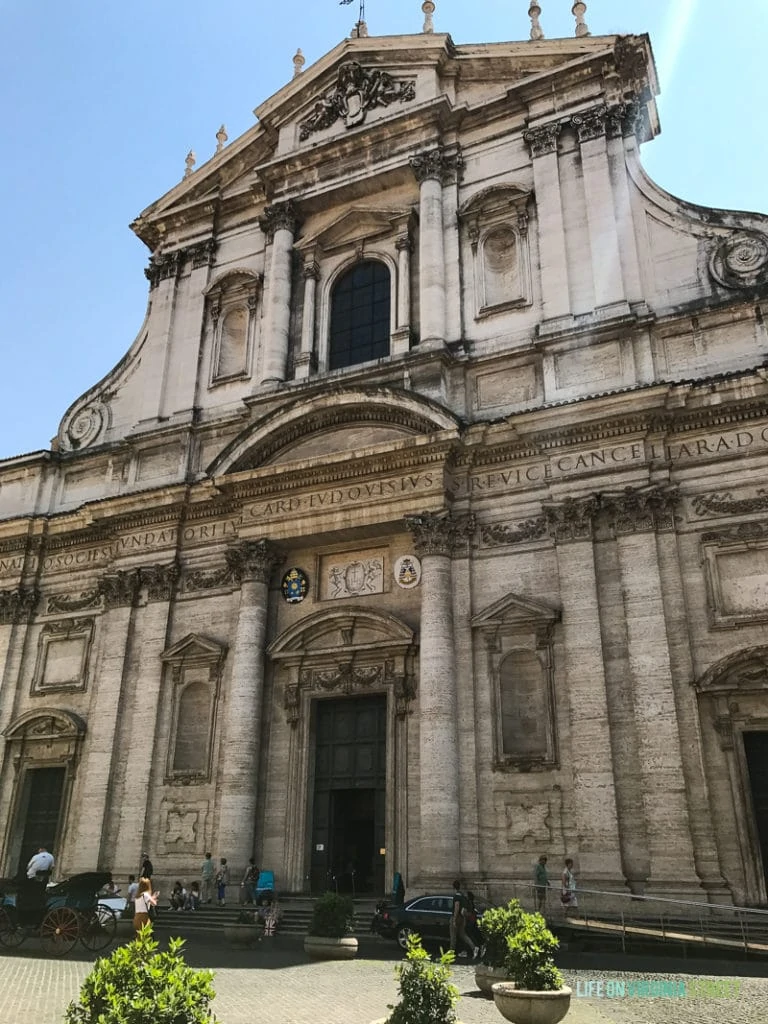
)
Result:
{"points": [[364, 81]]}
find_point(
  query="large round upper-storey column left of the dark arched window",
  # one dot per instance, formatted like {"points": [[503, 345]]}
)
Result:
{"points": [[279, 224]]}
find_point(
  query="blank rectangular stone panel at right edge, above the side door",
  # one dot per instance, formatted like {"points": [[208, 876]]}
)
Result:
{"points": [[738, 578]]}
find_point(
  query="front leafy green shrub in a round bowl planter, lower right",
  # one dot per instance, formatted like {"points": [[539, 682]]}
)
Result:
{"points": [[537, 994]]}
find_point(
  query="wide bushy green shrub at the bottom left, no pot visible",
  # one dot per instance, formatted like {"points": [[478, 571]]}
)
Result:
{"points": [[137, 985]]}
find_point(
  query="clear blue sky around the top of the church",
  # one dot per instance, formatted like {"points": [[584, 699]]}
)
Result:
{"points": [[103, 100]]}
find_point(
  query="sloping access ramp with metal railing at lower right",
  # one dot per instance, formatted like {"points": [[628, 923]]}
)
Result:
{"points": [[628, 917]]}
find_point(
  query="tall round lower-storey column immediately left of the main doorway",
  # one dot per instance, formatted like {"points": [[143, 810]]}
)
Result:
{"points": [[253, 563]]}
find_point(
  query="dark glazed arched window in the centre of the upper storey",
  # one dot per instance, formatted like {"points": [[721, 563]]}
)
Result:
{"points": [[360, 316]]}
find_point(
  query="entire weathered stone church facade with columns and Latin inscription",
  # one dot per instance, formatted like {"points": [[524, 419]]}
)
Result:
{"points": [[422, 529]]}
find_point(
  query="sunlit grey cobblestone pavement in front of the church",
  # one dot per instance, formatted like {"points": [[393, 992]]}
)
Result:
{"points": [[277, 985]]}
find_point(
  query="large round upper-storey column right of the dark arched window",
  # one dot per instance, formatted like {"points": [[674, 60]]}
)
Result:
{"points": [[432, 169]]}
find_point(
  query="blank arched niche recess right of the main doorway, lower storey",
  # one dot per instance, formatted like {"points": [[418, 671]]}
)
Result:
{"points": [[525, 706]]}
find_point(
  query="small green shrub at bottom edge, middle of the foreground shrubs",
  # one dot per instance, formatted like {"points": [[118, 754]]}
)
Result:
{"points": [[426, 994]]}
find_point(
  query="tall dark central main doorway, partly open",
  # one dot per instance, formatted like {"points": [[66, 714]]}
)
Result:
{"points": [[348, 852]]}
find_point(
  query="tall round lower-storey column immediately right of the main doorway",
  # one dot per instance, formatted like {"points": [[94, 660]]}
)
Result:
{"points": [[436, 537]]}
